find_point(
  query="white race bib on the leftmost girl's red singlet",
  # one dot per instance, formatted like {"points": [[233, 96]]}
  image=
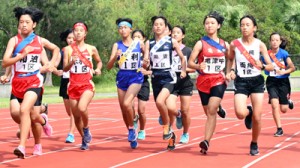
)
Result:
{"points": [[30, 63]]}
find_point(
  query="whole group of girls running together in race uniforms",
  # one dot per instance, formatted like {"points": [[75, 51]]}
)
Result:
{"points": [[165, 59]]}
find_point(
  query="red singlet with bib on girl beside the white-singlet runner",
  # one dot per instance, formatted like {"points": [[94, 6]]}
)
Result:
{"points": [[213, 58]]}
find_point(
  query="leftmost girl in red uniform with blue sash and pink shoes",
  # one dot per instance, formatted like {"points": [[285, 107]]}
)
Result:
{"points": [[24, 53]]}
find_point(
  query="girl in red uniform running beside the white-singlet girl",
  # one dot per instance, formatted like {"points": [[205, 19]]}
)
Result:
{"points": [[211, 52]]}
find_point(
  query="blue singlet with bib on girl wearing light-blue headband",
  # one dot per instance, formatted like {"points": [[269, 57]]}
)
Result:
{"points": [[132, 61]]}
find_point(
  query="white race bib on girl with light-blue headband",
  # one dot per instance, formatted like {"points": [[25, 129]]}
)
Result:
{"points": [[131, 63]]}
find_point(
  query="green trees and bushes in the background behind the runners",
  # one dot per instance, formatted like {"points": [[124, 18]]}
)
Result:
{"points": [[100, 16]]}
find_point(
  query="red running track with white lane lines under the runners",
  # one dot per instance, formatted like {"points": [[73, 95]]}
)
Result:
{"points": [[110, 148]]}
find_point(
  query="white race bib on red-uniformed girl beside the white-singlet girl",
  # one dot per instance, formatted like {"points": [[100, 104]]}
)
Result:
{"points": [[214, 65]]}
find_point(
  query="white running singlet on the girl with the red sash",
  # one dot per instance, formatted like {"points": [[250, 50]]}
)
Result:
{"points": [[243, 66]]}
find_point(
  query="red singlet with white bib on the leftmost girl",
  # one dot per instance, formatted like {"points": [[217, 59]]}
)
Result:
{"points": [[31, 62]]}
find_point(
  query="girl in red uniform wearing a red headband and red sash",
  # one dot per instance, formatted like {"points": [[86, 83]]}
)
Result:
{"points": [[78, 60]]}
